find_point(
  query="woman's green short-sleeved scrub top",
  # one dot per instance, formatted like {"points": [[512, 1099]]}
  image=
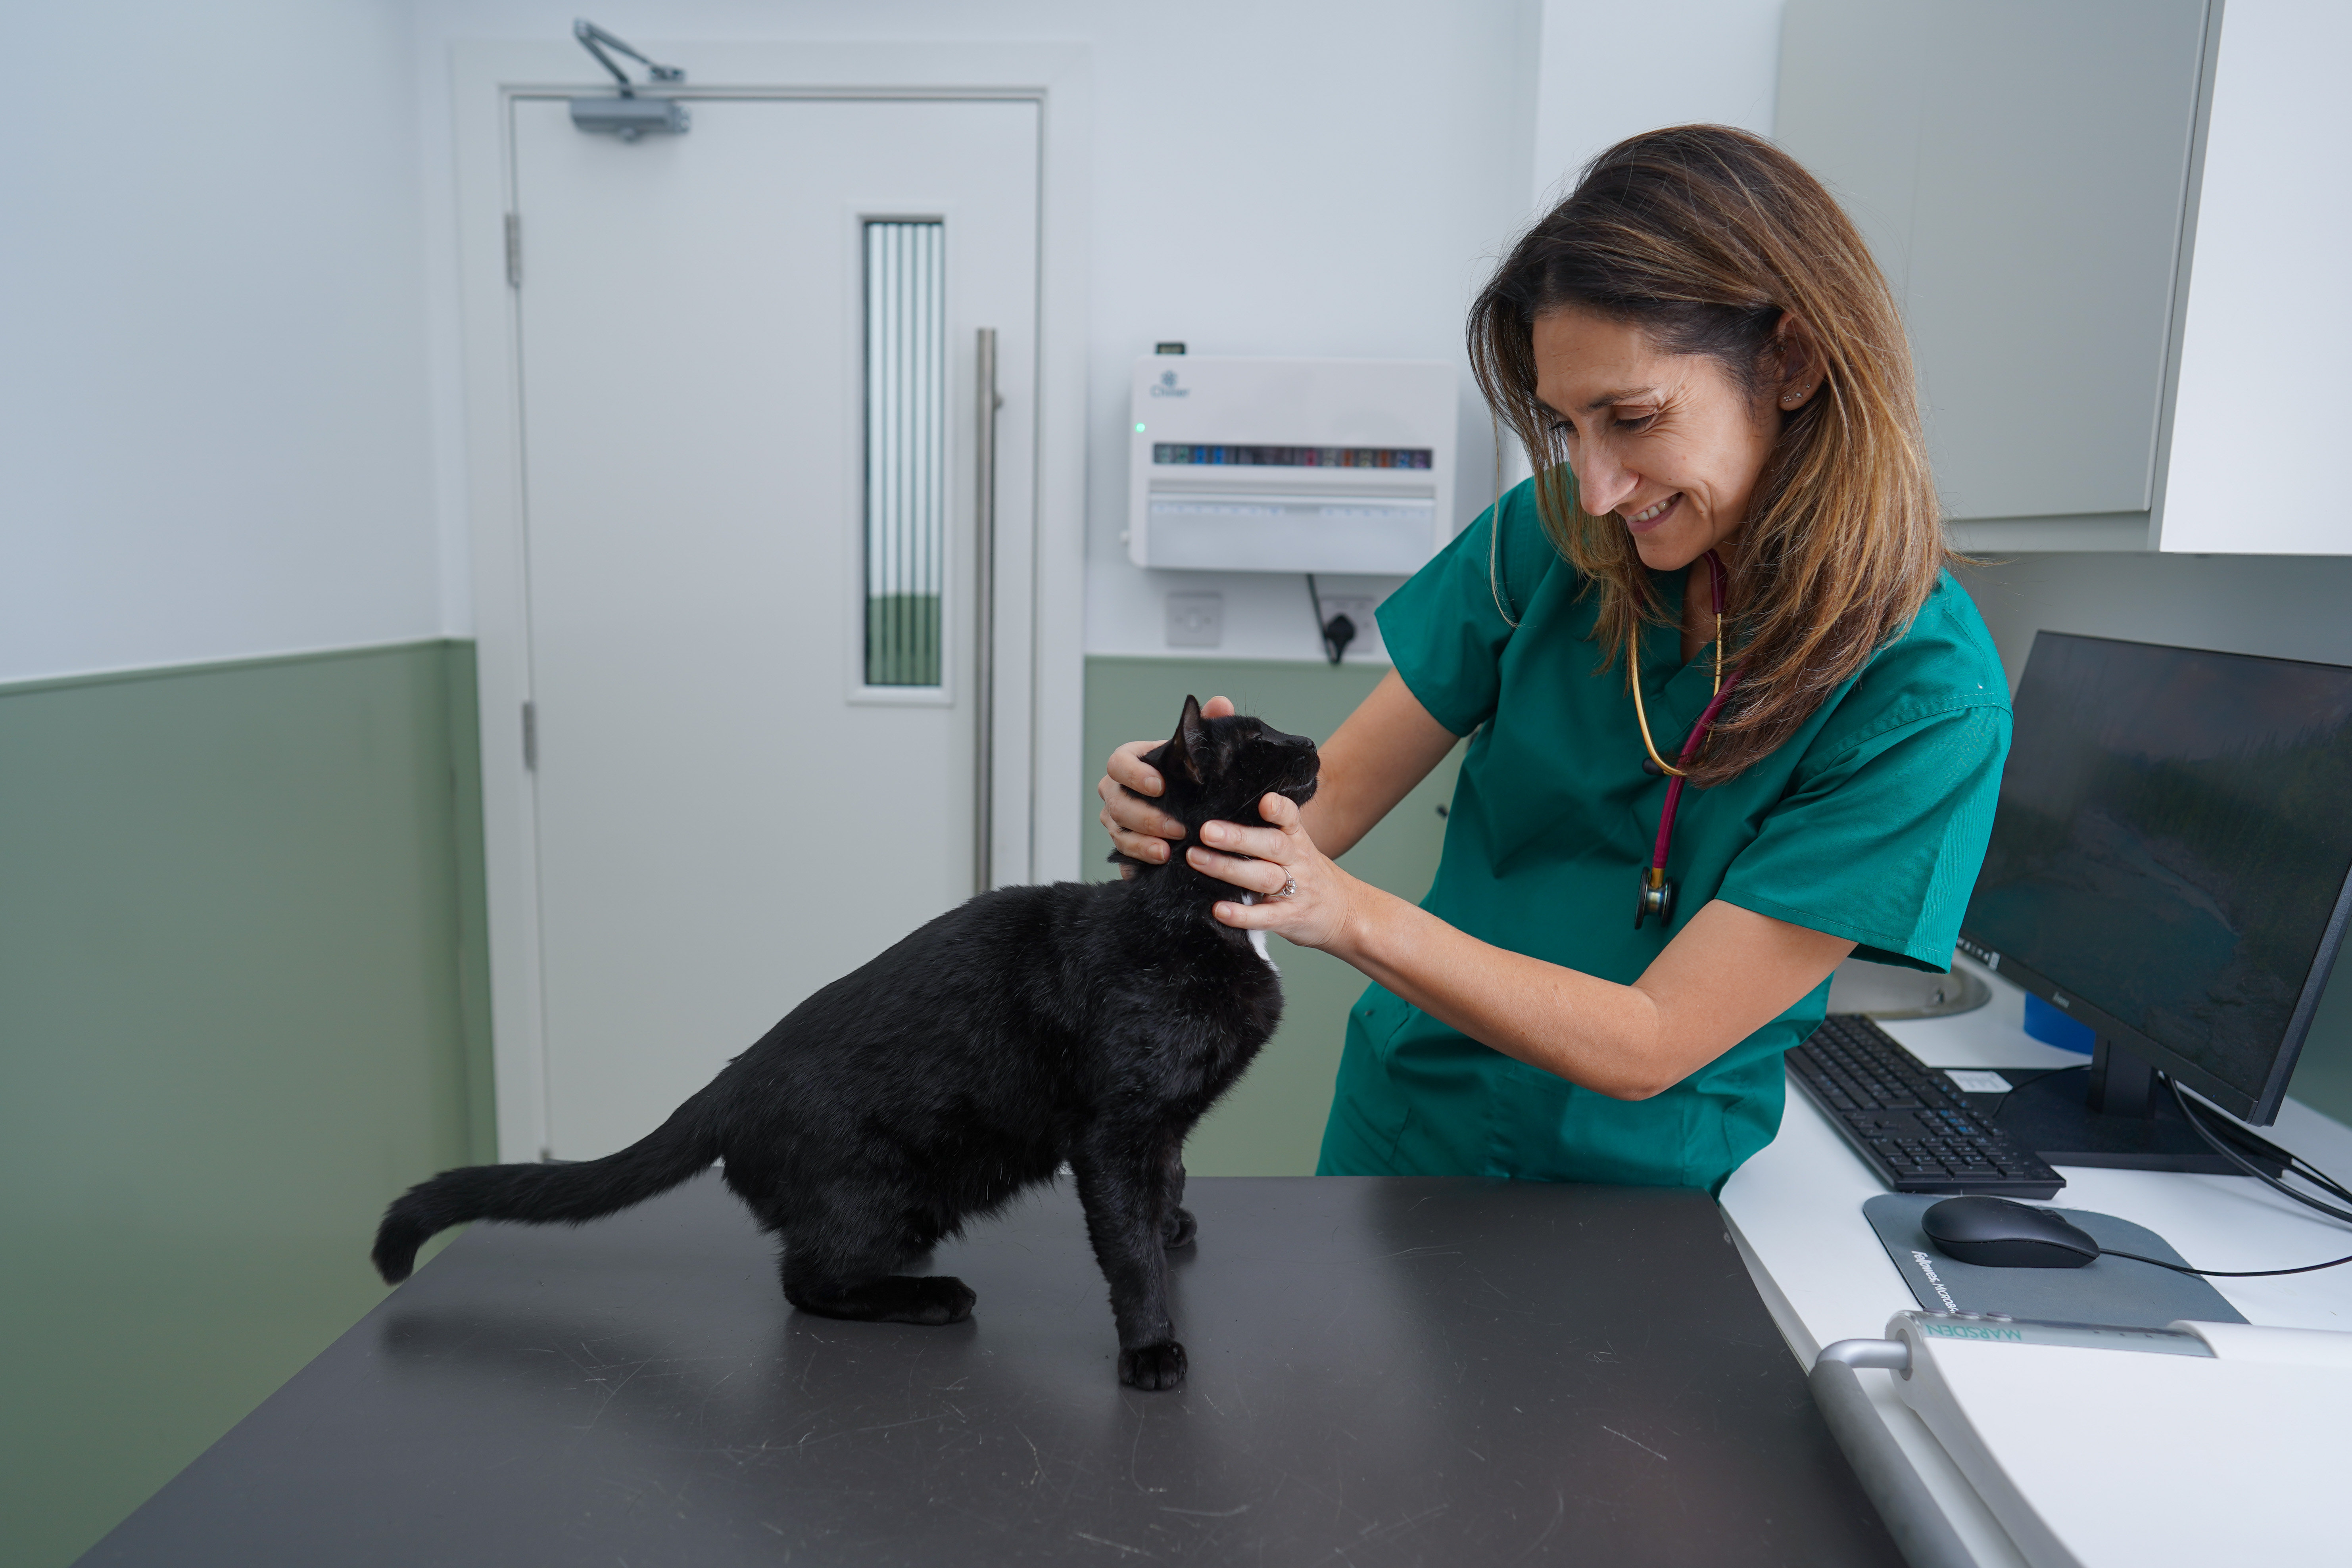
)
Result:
{"points": [[1869, 824]]}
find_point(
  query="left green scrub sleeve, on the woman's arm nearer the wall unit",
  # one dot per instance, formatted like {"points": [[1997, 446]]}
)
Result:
{"points": [[1448, 626]]}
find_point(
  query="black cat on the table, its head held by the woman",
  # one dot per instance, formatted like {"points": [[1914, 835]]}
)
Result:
{"points": [[1027, 1028]]}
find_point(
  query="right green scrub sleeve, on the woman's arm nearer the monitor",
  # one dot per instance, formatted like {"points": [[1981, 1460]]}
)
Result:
{"points": [[1883, 840]]}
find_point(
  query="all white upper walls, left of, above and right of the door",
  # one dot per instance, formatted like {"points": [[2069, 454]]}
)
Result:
{"points": [[229, 396]]}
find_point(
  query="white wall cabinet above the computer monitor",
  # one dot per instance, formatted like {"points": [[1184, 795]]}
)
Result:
{"points": [[2118, 234]]}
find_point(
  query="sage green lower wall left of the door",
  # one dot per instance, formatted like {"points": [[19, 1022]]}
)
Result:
{"points": [[241, 1005]]}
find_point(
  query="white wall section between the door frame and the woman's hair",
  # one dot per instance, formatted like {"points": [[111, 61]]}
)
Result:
{"points": [[1339, 187]]}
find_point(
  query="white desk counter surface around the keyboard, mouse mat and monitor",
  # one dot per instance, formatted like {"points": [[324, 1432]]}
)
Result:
{"points": [[1798, 1217]]}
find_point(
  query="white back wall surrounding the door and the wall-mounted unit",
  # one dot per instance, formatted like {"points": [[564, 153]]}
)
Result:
{"points": [[1318, 177]]}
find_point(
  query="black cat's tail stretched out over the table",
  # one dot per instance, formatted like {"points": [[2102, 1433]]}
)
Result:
{"points": [[549, 1193]]}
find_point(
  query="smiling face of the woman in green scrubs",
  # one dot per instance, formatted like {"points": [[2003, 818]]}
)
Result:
{"points": [[1671, 445]]}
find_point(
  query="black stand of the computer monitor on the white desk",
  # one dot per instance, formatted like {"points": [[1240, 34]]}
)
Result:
{"points": [[2116, 1115]]}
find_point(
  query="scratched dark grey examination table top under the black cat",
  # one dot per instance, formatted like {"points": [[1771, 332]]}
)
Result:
{"points": [[1384, 1372]]}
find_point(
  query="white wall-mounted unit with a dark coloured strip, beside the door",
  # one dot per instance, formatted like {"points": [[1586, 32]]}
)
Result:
{"points": [[1290, 464]]}
